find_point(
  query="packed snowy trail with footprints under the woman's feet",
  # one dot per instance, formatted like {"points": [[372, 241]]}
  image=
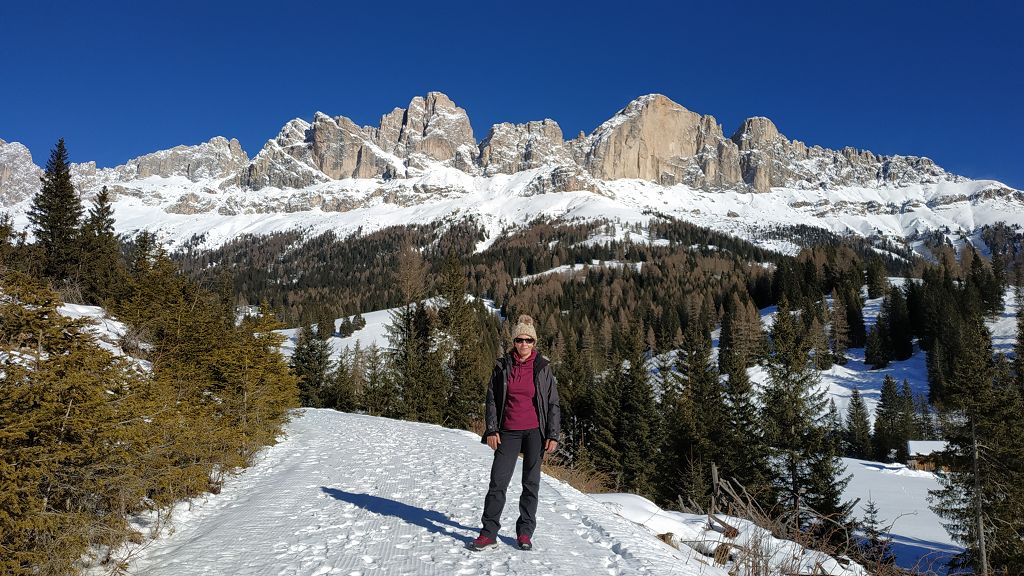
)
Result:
{"points": [[356, 496]]}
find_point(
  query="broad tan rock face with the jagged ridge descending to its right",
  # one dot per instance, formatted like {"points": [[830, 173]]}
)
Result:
{"points": [[655, 139]]}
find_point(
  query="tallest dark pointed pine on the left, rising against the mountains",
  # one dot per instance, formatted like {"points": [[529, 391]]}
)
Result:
{"points": [[56, 215]]}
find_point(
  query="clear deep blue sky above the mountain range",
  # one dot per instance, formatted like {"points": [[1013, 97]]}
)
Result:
{"points": [[122, 79]]}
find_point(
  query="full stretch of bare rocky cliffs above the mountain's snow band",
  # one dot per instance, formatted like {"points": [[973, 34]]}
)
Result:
{"points": [[653, 139]]}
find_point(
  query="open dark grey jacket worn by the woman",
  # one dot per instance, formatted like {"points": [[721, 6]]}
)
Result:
{"points": [[545, 401]]}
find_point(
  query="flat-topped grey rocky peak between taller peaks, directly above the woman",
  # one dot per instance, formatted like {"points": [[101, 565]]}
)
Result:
{"points": [[513, 148]]}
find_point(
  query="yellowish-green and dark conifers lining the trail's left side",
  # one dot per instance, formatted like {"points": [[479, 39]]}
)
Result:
{"points": [[91, 437]]}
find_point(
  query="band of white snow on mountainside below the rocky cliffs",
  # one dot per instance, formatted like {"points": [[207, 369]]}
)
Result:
{"points": [[499, 202]]}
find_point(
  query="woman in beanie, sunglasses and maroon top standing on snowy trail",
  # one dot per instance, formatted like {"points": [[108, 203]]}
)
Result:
{"points": [[523, 417]]}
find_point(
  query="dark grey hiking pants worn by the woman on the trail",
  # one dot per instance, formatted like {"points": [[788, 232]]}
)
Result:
{"points": [[531, 444]]}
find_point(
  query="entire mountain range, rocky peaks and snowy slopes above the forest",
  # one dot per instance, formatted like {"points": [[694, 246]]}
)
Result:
{"points": [[422, 163]]}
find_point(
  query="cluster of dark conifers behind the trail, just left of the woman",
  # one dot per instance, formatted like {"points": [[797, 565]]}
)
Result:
{"points": [[440, 354]]}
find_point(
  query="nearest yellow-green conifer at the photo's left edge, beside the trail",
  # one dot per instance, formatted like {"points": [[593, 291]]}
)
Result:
{"points": [[70, 438]]}
